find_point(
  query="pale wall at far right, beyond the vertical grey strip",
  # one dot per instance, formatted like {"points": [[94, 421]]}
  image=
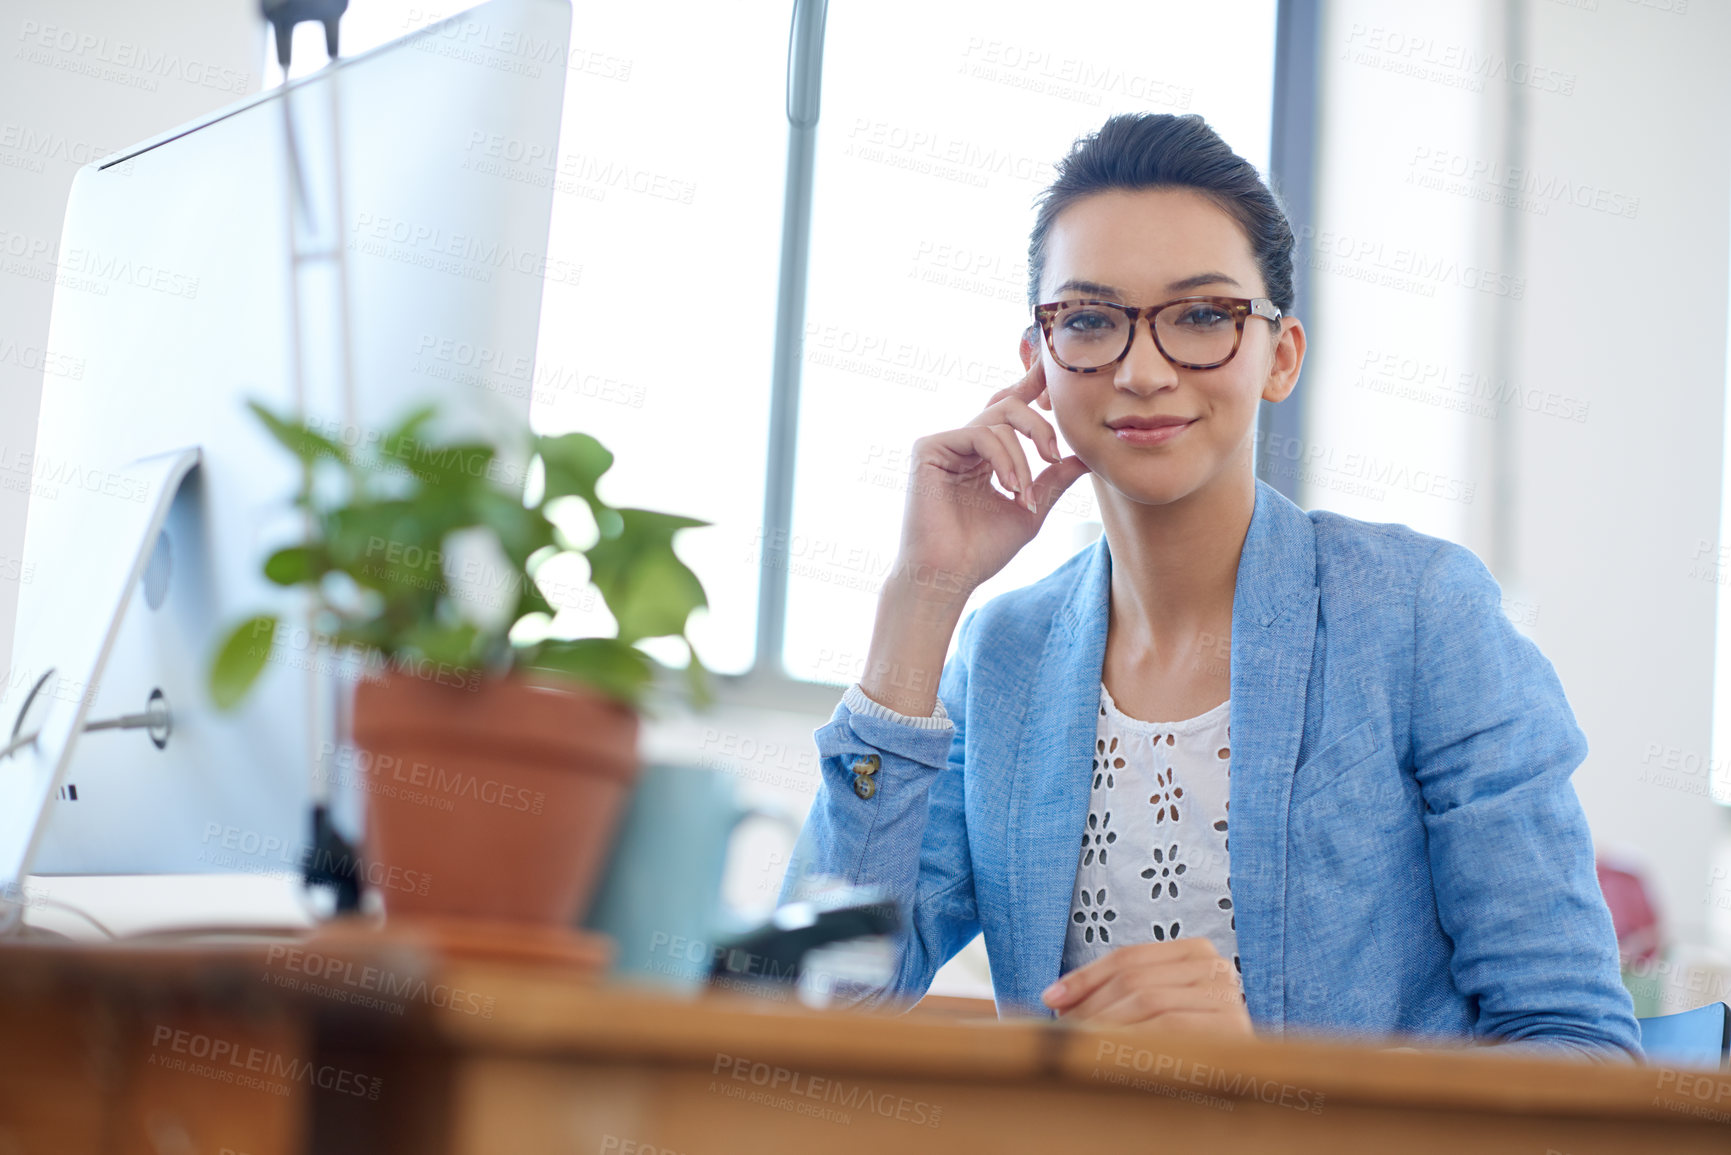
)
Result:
{"points": [[1611, 513]]}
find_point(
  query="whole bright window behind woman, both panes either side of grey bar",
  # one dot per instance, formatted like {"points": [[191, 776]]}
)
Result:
{"points": [[937, 131]]}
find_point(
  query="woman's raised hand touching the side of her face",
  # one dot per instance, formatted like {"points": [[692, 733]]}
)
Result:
{"points": [[958, 531]]}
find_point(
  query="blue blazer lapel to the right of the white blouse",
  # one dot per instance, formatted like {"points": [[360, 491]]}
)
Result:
{"points": [[1273, 640]]}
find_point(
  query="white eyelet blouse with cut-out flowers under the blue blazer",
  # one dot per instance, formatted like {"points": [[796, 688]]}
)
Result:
{"points": [[1154, 858]]}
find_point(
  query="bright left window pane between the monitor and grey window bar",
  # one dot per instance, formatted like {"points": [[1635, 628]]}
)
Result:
{"points": [[672, 153]]}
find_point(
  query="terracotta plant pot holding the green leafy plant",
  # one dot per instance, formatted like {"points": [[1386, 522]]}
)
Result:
{"points": [[498, 803]]}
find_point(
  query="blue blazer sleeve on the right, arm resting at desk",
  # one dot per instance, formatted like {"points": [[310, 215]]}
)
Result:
{"points": [[1495, 745]]}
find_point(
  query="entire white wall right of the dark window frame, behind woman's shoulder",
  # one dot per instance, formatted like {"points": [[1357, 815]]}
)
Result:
{"points": [[1578, 155]]}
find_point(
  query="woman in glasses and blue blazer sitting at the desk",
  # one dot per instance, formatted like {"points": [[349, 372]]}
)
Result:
{"points": [[1361, 816]]}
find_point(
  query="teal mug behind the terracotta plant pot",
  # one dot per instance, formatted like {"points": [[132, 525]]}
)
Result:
{"points": [[660, 900]]}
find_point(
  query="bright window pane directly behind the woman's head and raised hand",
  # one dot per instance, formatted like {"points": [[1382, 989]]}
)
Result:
{"points": [[932, 150]]}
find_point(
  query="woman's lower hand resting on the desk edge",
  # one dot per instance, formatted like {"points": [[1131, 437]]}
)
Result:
{"points": [[1178, 984]]}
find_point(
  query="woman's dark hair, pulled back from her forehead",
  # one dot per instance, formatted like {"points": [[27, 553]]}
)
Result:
{"points": [[1161, 152]]}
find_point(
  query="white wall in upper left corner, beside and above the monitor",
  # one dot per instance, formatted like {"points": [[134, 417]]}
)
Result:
{"points": [[80, 81]]}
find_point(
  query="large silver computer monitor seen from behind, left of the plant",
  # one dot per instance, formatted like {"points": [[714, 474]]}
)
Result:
{"points": [[157, 493]]}
